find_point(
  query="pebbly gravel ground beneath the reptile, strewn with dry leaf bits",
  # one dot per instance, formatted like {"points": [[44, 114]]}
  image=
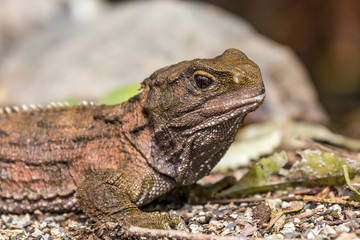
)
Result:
{"points": [[317, 215]]}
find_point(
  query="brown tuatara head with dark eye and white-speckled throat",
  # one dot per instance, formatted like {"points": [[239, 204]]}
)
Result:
{"points": [[196, 108]]}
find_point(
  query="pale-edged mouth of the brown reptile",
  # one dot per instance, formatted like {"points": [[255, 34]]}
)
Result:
{"points": [[231, 109]]}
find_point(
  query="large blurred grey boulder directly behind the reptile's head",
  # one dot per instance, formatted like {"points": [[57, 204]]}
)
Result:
{"points": [[128, 42]]}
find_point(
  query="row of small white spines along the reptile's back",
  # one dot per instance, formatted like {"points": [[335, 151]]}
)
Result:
{"points": [[39, 107]]}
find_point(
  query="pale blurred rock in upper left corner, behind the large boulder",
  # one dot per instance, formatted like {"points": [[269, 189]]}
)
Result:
{"points": [[20, 19]]}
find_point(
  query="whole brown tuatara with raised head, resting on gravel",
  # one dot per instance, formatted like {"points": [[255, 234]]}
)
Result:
{"points": [[117, 158]]}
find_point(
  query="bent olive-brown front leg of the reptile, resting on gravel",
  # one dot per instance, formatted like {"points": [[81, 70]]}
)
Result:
{"points": [[106, 195]]}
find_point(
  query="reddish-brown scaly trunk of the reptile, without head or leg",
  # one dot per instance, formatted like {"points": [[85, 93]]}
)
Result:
{"points": [[46, 153]]}
